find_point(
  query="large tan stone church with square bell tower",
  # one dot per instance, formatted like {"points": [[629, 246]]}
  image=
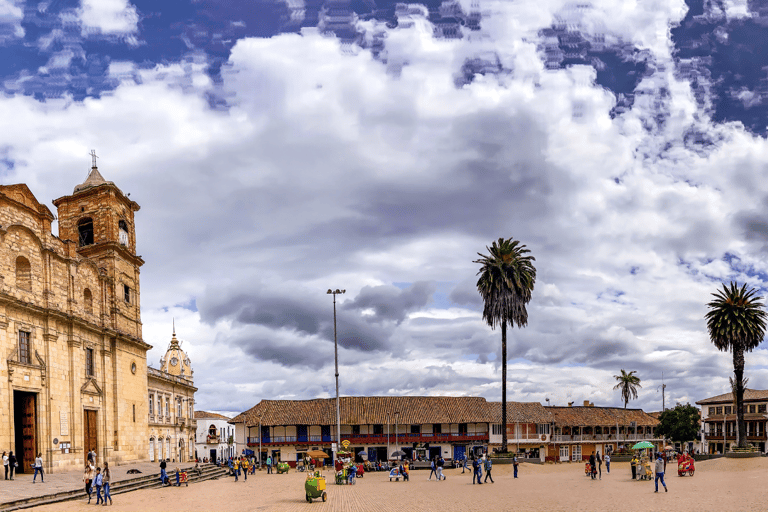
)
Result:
{"points": [[70, 327]]}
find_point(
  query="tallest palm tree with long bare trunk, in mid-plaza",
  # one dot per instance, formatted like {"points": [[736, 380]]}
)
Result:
{"points": [[507, 276]]}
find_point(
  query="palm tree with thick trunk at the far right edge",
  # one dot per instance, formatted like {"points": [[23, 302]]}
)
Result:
{"points": [[736, 322]]}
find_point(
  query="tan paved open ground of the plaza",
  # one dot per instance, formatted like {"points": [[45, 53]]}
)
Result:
{"points": [[718, 485]]}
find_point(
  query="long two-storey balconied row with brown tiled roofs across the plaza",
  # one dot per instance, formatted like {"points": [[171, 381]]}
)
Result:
{"points": [[453, 427]]}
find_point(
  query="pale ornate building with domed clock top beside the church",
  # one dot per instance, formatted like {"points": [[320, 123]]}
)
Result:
{"points": [[171, 399]]}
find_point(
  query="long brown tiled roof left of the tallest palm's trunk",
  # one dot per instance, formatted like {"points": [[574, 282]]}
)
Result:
{"points": [[369, 410]]}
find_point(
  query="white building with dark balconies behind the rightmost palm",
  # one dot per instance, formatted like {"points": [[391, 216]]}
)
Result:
{"points": [[718, 420]]}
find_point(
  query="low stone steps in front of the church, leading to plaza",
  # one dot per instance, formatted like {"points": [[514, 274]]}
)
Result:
{"points": [[208, 472]]}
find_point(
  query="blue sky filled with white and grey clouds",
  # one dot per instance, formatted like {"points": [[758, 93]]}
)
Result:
{"points": [[279, 148]]}
